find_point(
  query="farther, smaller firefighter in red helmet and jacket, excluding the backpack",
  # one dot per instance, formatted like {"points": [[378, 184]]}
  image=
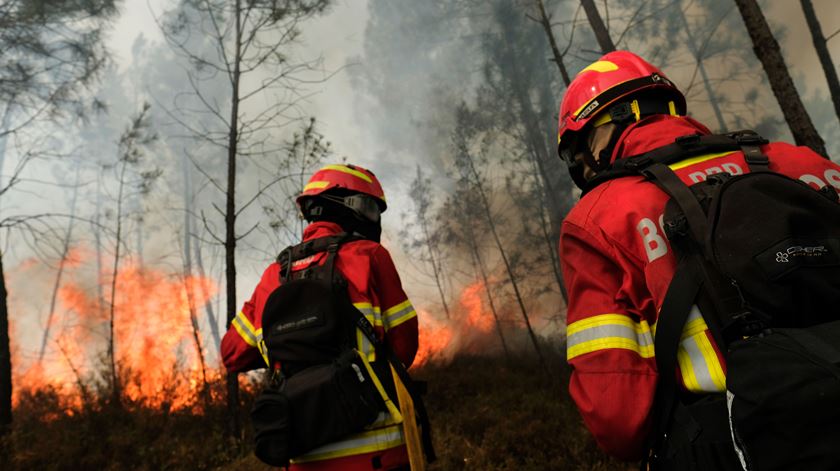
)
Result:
{"points": [[331, 203]]}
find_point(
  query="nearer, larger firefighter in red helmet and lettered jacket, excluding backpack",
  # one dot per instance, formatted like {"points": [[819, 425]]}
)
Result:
{"points": [[616, 259]]}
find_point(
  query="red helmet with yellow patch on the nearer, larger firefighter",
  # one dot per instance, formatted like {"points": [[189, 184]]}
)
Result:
{"points": [[613, 77]]}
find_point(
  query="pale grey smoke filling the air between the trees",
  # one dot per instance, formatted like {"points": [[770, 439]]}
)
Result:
{"points": [[391, 76]]}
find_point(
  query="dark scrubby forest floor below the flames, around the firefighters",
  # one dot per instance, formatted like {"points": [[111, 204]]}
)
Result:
{"points": [[487, 413]]}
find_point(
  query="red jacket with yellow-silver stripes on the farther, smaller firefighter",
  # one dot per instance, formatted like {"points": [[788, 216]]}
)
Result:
{"points": [[374, 288]]}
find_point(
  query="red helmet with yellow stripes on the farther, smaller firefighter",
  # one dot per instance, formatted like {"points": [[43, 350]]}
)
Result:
{"points": [[352, 179]]}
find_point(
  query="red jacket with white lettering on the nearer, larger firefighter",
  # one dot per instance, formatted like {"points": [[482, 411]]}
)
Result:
{"points": [[617, 265]]}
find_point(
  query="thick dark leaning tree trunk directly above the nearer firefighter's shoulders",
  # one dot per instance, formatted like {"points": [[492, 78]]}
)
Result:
{"points": [[769, 53]]}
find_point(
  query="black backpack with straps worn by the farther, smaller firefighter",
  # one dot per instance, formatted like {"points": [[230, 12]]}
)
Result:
{"points": [[322, 388]]}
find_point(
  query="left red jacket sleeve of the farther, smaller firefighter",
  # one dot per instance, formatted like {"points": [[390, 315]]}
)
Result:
{"points": [[242, 344]]}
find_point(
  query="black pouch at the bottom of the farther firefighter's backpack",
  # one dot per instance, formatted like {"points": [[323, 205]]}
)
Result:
{"points": [[316, 406]]}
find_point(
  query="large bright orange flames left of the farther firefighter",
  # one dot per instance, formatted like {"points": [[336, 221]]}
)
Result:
{"points": [[154, 346]]}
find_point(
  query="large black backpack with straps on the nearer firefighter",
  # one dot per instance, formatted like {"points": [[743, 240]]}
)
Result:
{"points": [[759, 254]]}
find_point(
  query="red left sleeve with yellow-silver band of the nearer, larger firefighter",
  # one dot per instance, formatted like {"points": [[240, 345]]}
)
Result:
{"points": [[609, 343]]}
